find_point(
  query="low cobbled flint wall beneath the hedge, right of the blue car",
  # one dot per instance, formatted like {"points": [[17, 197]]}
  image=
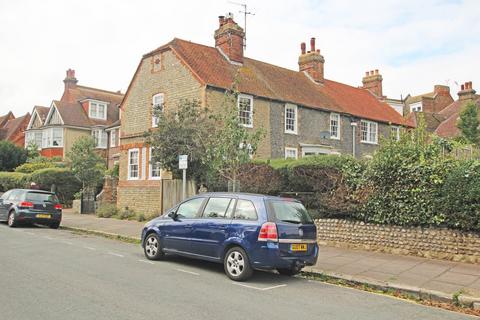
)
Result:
{"points": [[436, 243]]}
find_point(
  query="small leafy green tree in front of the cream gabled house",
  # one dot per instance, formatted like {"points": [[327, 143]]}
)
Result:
{"points": [[87, 165]]}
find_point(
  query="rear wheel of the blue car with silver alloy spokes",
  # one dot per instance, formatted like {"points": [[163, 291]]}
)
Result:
{"points": [[236, 264]]}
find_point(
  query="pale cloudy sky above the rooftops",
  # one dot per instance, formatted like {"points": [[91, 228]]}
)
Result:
{"points": [[415, 44]]}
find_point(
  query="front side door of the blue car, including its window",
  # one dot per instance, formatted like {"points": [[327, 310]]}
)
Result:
{"points": [[178, 232]]}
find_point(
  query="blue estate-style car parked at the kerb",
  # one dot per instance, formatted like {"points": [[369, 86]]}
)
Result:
{"points": [[245, 232]]}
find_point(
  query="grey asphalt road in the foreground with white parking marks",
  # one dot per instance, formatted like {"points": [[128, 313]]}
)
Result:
{"points": [[55, 274]]}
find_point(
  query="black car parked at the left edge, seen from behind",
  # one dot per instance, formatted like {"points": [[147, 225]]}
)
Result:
{"points": [[30, 206]]}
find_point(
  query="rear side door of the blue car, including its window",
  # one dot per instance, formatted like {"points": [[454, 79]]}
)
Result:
{"points": [[211, 230]]}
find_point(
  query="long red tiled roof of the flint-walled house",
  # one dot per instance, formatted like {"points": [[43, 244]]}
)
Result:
{"points": [[277, 83]]}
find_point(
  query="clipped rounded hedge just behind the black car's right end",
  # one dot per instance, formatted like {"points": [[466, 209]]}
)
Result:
{"points": [[65, 182]]}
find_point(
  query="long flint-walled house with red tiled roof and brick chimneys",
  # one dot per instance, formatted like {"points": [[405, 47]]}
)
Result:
{"points": [[302, 112]]}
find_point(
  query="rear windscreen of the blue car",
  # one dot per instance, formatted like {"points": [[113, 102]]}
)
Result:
{"points": [[289, 211]]}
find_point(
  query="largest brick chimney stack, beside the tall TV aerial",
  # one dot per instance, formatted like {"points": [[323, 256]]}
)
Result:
{"points": [[229, 38]]}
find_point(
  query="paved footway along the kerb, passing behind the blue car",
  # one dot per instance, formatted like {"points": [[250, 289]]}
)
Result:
{"points": [[429, 278]]}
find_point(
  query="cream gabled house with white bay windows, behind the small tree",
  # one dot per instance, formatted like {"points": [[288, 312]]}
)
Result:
{"points": [[82, 111]]}
